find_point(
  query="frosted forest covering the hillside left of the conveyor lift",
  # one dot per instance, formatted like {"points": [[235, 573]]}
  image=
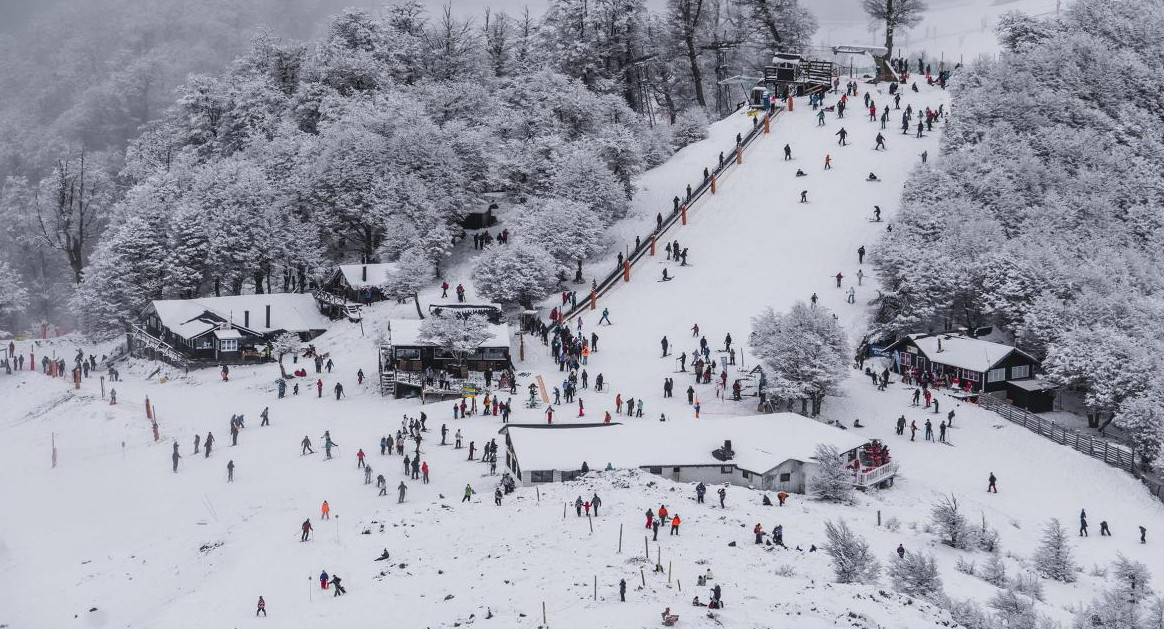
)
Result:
{"points": [[127, 180]]}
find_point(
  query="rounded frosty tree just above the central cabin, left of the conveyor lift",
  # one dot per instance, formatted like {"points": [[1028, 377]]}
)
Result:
{"points": [[521, 273]]}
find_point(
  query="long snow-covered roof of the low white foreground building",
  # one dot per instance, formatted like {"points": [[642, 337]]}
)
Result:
{"points": [[761, 443]]}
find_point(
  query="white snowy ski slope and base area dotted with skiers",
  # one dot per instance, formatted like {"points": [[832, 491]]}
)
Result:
{"points": [[112, 529]]}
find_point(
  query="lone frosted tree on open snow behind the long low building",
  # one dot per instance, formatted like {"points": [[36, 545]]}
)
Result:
{"points": [[805, 354]]}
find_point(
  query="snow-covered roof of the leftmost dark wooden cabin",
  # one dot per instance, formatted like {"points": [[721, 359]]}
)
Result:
{"points": [[290, 312]]}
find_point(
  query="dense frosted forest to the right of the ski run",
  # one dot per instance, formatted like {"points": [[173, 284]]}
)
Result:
{"points": [[1046, 216]]}
